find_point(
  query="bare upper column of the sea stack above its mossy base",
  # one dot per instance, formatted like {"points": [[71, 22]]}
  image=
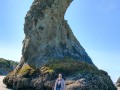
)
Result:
{"points": [[47, 34]]}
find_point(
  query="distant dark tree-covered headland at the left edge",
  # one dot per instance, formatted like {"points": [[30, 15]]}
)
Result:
{"points": [[6, 66]]}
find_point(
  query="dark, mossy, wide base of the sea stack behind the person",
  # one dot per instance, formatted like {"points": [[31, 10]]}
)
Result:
{"points": [[78, 76]]}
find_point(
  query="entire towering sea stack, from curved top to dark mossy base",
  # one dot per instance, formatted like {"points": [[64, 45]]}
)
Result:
{"points": [[50, 48]]}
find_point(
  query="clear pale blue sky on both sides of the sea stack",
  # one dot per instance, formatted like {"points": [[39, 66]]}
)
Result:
{"points": [[95, 23]]}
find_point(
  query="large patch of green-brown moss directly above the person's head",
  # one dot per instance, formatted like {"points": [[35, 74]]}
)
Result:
{"points": [[68, 66]]}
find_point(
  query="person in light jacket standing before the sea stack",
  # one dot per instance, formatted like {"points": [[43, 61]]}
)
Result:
{"points": [[60, 83]]}
